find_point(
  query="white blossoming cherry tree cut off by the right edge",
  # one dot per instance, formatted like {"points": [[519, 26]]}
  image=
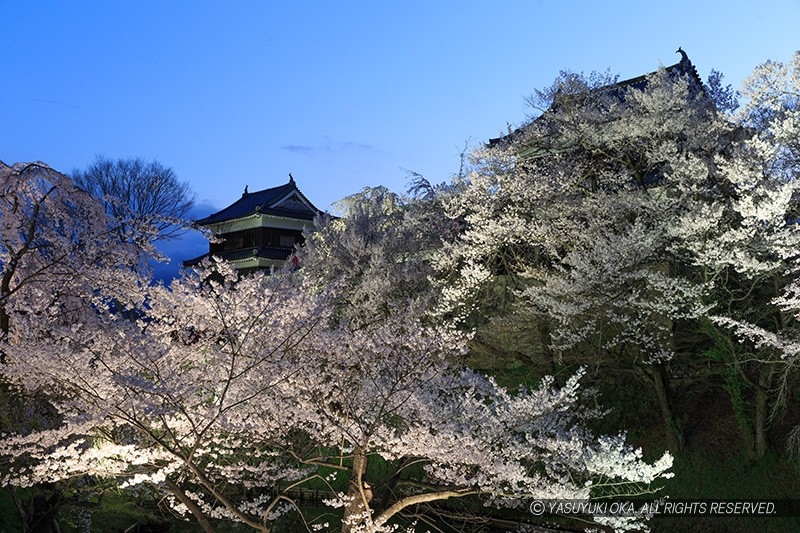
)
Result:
{"points": [[767, 359]]}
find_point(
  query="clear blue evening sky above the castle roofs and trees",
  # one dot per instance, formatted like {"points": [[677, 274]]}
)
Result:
{"points": [[341, 94]]}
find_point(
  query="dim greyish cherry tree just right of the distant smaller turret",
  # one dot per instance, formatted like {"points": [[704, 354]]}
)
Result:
{"points": [[374, 257]]}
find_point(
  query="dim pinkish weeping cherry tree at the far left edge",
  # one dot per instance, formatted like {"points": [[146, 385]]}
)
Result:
{"points": [[56, 247]]}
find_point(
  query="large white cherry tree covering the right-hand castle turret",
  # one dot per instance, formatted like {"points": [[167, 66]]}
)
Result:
{"points": [[573, 210]]}
